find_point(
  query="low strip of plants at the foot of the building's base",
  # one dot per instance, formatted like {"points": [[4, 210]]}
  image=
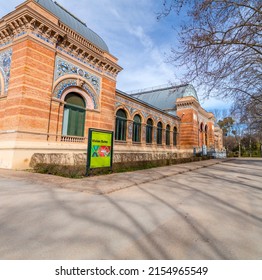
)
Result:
{"points": [[79, 171]]}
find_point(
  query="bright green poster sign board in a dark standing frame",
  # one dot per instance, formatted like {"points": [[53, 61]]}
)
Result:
{"points": [[100, 149]]}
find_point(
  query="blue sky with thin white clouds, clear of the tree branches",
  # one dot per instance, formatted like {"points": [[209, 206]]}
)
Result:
{"points": [[135, 36]]}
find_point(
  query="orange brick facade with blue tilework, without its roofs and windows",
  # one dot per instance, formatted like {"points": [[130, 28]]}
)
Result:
{"points": [[33, 90]]}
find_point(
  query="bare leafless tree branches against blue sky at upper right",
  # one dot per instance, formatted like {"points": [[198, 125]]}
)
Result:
{"points": [[221, 46]]}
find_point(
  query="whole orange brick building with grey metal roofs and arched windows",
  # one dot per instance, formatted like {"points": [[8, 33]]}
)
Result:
{"points": [[58, 79]]}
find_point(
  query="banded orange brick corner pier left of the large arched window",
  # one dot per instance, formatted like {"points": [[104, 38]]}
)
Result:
{"points": [[28, 99]]}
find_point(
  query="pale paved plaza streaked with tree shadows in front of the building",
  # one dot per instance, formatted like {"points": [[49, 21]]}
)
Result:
{"points": [[203, 210]]}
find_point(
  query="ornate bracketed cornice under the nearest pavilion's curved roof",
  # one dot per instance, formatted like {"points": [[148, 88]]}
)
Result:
{"points": [[26, 20]]}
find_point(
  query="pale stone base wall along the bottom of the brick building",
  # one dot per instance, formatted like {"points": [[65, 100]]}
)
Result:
{"points": [[24, 155]]}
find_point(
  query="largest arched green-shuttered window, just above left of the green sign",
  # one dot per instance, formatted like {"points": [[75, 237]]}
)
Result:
{"points": [[74, 115]]}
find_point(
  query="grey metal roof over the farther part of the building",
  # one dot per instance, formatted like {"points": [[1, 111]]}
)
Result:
{"points": [[164, 97]]}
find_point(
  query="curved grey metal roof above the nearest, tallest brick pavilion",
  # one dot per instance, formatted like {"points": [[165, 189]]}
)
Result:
{"points": [[73, 22]]}
